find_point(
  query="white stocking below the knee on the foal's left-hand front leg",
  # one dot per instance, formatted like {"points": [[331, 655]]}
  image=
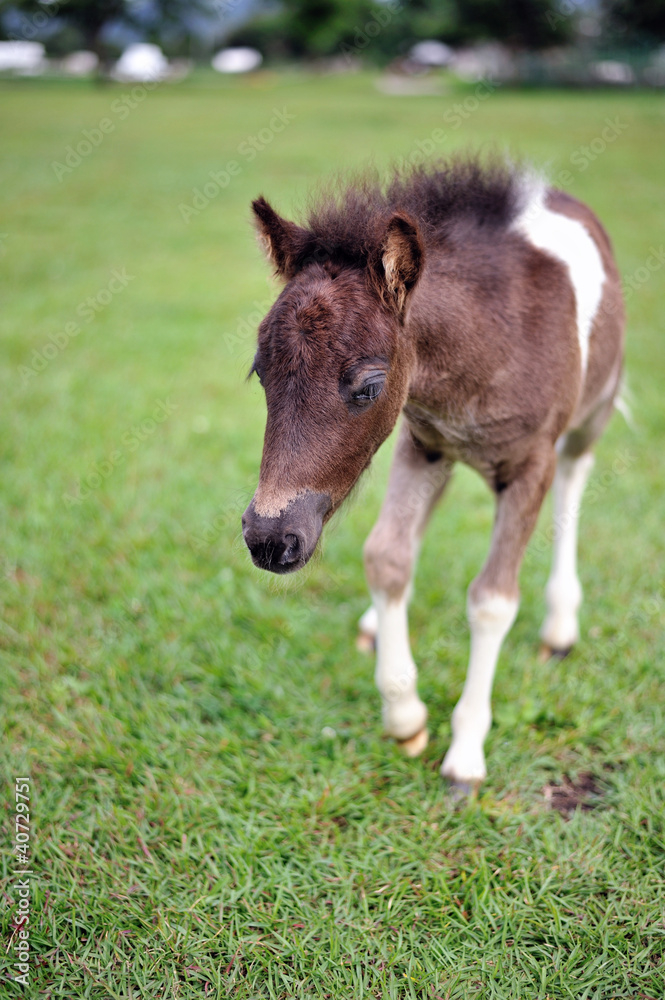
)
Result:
{"points": [[404, 714]]}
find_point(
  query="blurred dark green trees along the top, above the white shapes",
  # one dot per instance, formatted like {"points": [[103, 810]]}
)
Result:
{"points": [[313, 29]]}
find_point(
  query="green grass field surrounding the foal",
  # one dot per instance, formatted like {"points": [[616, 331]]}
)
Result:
{"points": [[214, 811]]}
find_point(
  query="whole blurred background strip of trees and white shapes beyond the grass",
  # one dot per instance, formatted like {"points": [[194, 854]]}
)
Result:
{"points": [[532, 41]]}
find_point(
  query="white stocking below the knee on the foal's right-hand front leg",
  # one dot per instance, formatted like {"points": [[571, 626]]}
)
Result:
{"points": [[490, 620]]}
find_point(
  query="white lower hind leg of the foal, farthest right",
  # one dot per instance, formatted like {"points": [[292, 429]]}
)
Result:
{"points": [[563, 593]]}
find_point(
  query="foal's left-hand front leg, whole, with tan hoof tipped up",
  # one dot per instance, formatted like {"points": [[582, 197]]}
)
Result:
{"points": [[417, 479]]}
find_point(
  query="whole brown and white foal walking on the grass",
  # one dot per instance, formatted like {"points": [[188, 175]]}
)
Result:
{"points": [[485, 307]]}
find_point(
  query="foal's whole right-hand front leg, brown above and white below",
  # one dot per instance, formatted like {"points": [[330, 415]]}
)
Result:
{"points": [[492, 606]]}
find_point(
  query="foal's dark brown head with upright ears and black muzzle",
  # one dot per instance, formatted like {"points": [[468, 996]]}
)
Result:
{"points": [[334, 364]]}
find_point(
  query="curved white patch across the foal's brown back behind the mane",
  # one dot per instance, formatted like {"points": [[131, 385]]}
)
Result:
{"points": [[568, 241]]}
